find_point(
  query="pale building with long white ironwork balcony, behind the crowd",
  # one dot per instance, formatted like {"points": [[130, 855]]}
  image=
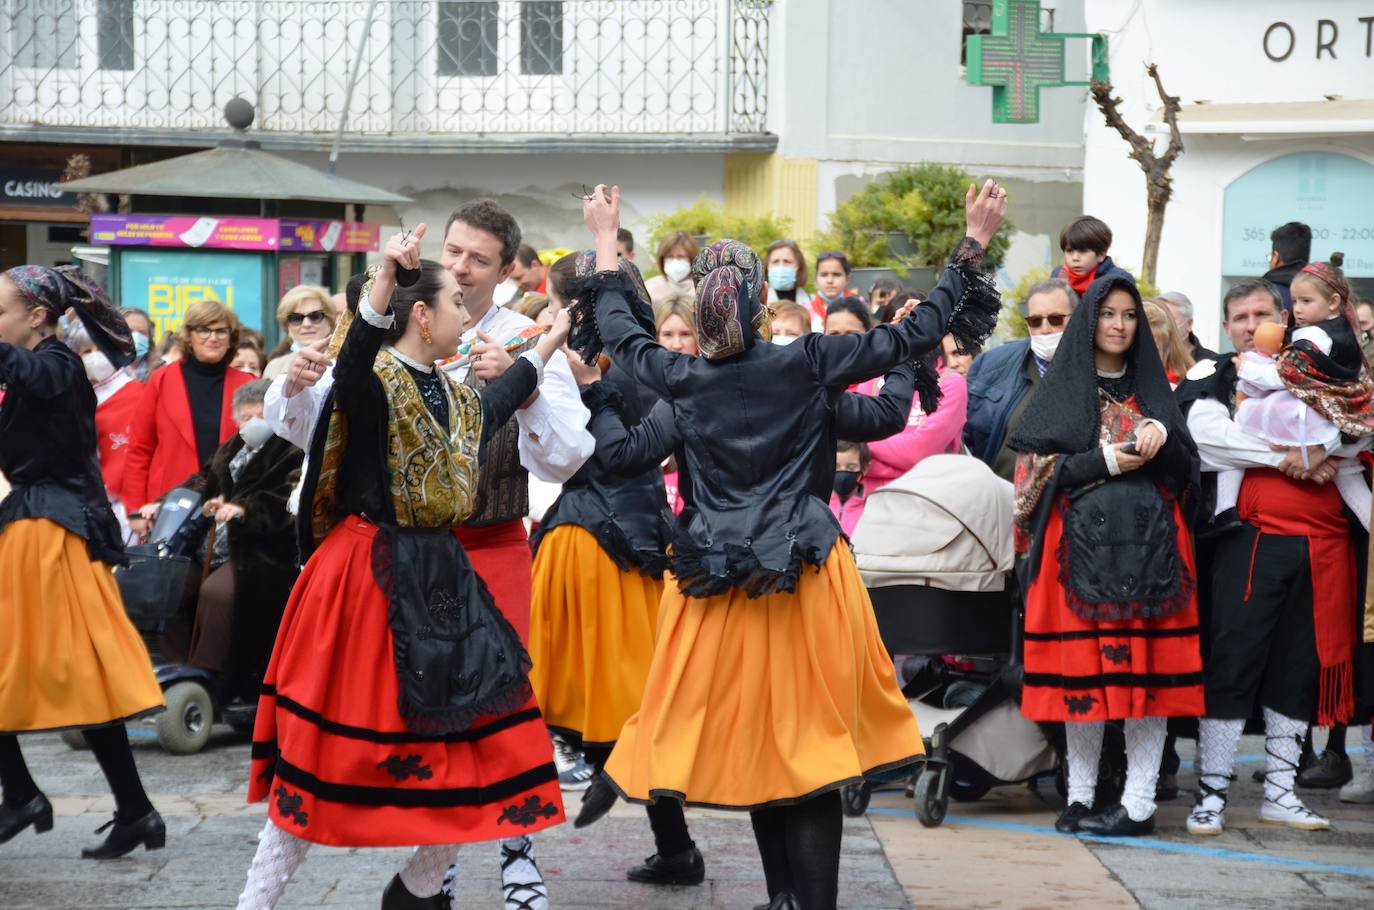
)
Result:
{"points": [[782, 107]]}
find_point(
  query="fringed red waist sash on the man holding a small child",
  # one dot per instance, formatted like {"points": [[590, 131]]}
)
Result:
{"points": [[1296, 509]]}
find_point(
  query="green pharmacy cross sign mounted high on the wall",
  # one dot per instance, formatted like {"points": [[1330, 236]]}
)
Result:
{"points": [[1019, 60]]}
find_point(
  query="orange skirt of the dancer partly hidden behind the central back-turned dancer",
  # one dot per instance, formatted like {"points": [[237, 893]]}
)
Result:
{"points": [[592, 637]]}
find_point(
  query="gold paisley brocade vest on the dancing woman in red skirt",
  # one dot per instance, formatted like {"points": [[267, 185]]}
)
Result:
{"points": [[432, 471]]}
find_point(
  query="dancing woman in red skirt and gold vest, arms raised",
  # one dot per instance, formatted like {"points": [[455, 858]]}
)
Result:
{"points": [[398, 709]]}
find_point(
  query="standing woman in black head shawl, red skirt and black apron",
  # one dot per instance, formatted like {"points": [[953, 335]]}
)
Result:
{"points": [[1105, 482]]}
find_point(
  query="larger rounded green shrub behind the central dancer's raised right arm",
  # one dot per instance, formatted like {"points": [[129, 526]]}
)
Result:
{"points": [[923, 201]]}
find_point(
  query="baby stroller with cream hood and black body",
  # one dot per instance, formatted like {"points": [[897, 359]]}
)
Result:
{"points": [[935, 551]]}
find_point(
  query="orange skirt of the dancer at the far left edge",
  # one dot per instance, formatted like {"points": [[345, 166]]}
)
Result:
{"points": [[71, 656]]}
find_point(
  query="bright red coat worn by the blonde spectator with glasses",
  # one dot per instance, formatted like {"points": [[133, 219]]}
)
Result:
{"points": [[164, 435]]}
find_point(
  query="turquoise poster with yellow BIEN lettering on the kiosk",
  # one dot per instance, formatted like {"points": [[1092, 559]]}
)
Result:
{"points": [[167, 284]]}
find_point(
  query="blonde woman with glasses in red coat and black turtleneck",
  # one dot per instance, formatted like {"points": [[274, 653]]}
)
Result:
{"points": [[188, 409]]}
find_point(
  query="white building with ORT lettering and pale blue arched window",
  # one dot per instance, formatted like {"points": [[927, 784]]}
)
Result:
{"points": [[1277, 123]]}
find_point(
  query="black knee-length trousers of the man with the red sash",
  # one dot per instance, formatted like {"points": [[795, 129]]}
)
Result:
{"points": [[1263, 639]]}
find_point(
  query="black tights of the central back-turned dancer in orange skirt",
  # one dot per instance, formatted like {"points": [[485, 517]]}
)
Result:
{"points": [[800, 849]]}
